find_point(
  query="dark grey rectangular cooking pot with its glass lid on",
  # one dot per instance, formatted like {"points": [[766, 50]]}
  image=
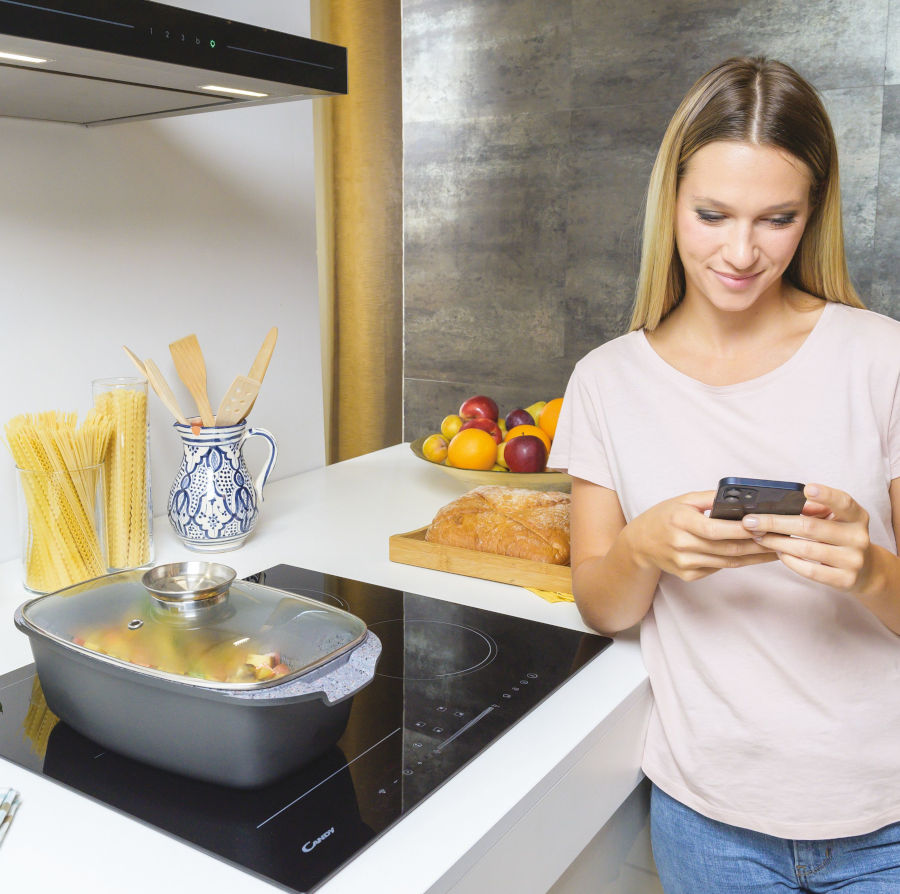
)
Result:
{"points": [[187, 669]]}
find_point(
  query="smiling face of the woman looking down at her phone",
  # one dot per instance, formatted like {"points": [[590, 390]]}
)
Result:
{"points": [[740, 212]]}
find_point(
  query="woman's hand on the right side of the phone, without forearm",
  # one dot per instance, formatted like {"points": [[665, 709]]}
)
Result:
{"points": [[828, 543]]}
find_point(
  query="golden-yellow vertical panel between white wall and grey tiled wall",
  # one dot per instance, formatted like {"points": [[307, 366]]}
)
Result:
{"points": [[359, 207]]}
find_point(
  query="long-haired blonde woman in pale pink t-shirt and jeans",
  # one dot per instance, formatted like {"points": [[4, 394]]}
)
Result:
{"points": [[772, 642]]}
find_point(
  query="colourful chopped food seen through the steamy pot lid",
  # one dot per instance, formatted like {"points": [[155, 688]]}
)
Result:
{"points": [[204, 654]]}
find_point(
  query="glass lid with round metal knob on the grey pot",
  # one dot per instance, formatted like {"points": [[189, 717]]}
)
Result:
{"points": [[191, 621]]}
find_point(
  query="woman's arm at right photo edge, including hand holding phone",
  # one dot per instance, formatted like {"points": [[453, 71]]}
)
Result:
{"points": [[831, 545]]}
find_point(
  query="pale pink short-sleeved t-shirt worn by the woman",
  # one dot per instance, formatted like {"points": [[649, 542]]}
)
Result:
{"points": [[776, 700]]}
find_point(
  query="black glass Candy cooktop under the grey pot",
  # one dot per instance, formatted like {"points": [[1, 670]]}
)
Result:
{"points": [[451, 679]]}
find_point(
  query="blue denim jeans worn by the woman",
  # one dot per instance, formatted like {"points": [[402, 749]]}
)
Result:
{"points": [[697, 855]]}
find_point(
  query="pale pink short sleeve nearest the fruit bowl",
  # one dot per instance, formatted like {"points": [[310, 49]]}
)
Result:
{"points": [[579, 446]]}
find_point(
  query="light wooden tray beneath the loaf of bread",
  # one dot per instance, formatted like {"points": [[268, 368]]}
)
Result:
{"points": [[413, 549]]}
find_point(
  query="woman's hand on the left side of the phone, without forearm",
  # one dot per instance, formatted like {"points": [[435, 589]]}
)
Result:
{"points": [[676, 536]]}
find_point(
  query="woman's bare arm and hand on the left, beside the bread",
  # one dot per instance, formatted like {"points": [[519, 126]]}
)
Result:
{"points": [[616, 565]]}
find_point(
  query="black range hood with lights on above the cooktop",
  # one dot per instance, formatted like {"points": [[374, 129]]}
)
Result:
{"points": [[96, 62]]}
